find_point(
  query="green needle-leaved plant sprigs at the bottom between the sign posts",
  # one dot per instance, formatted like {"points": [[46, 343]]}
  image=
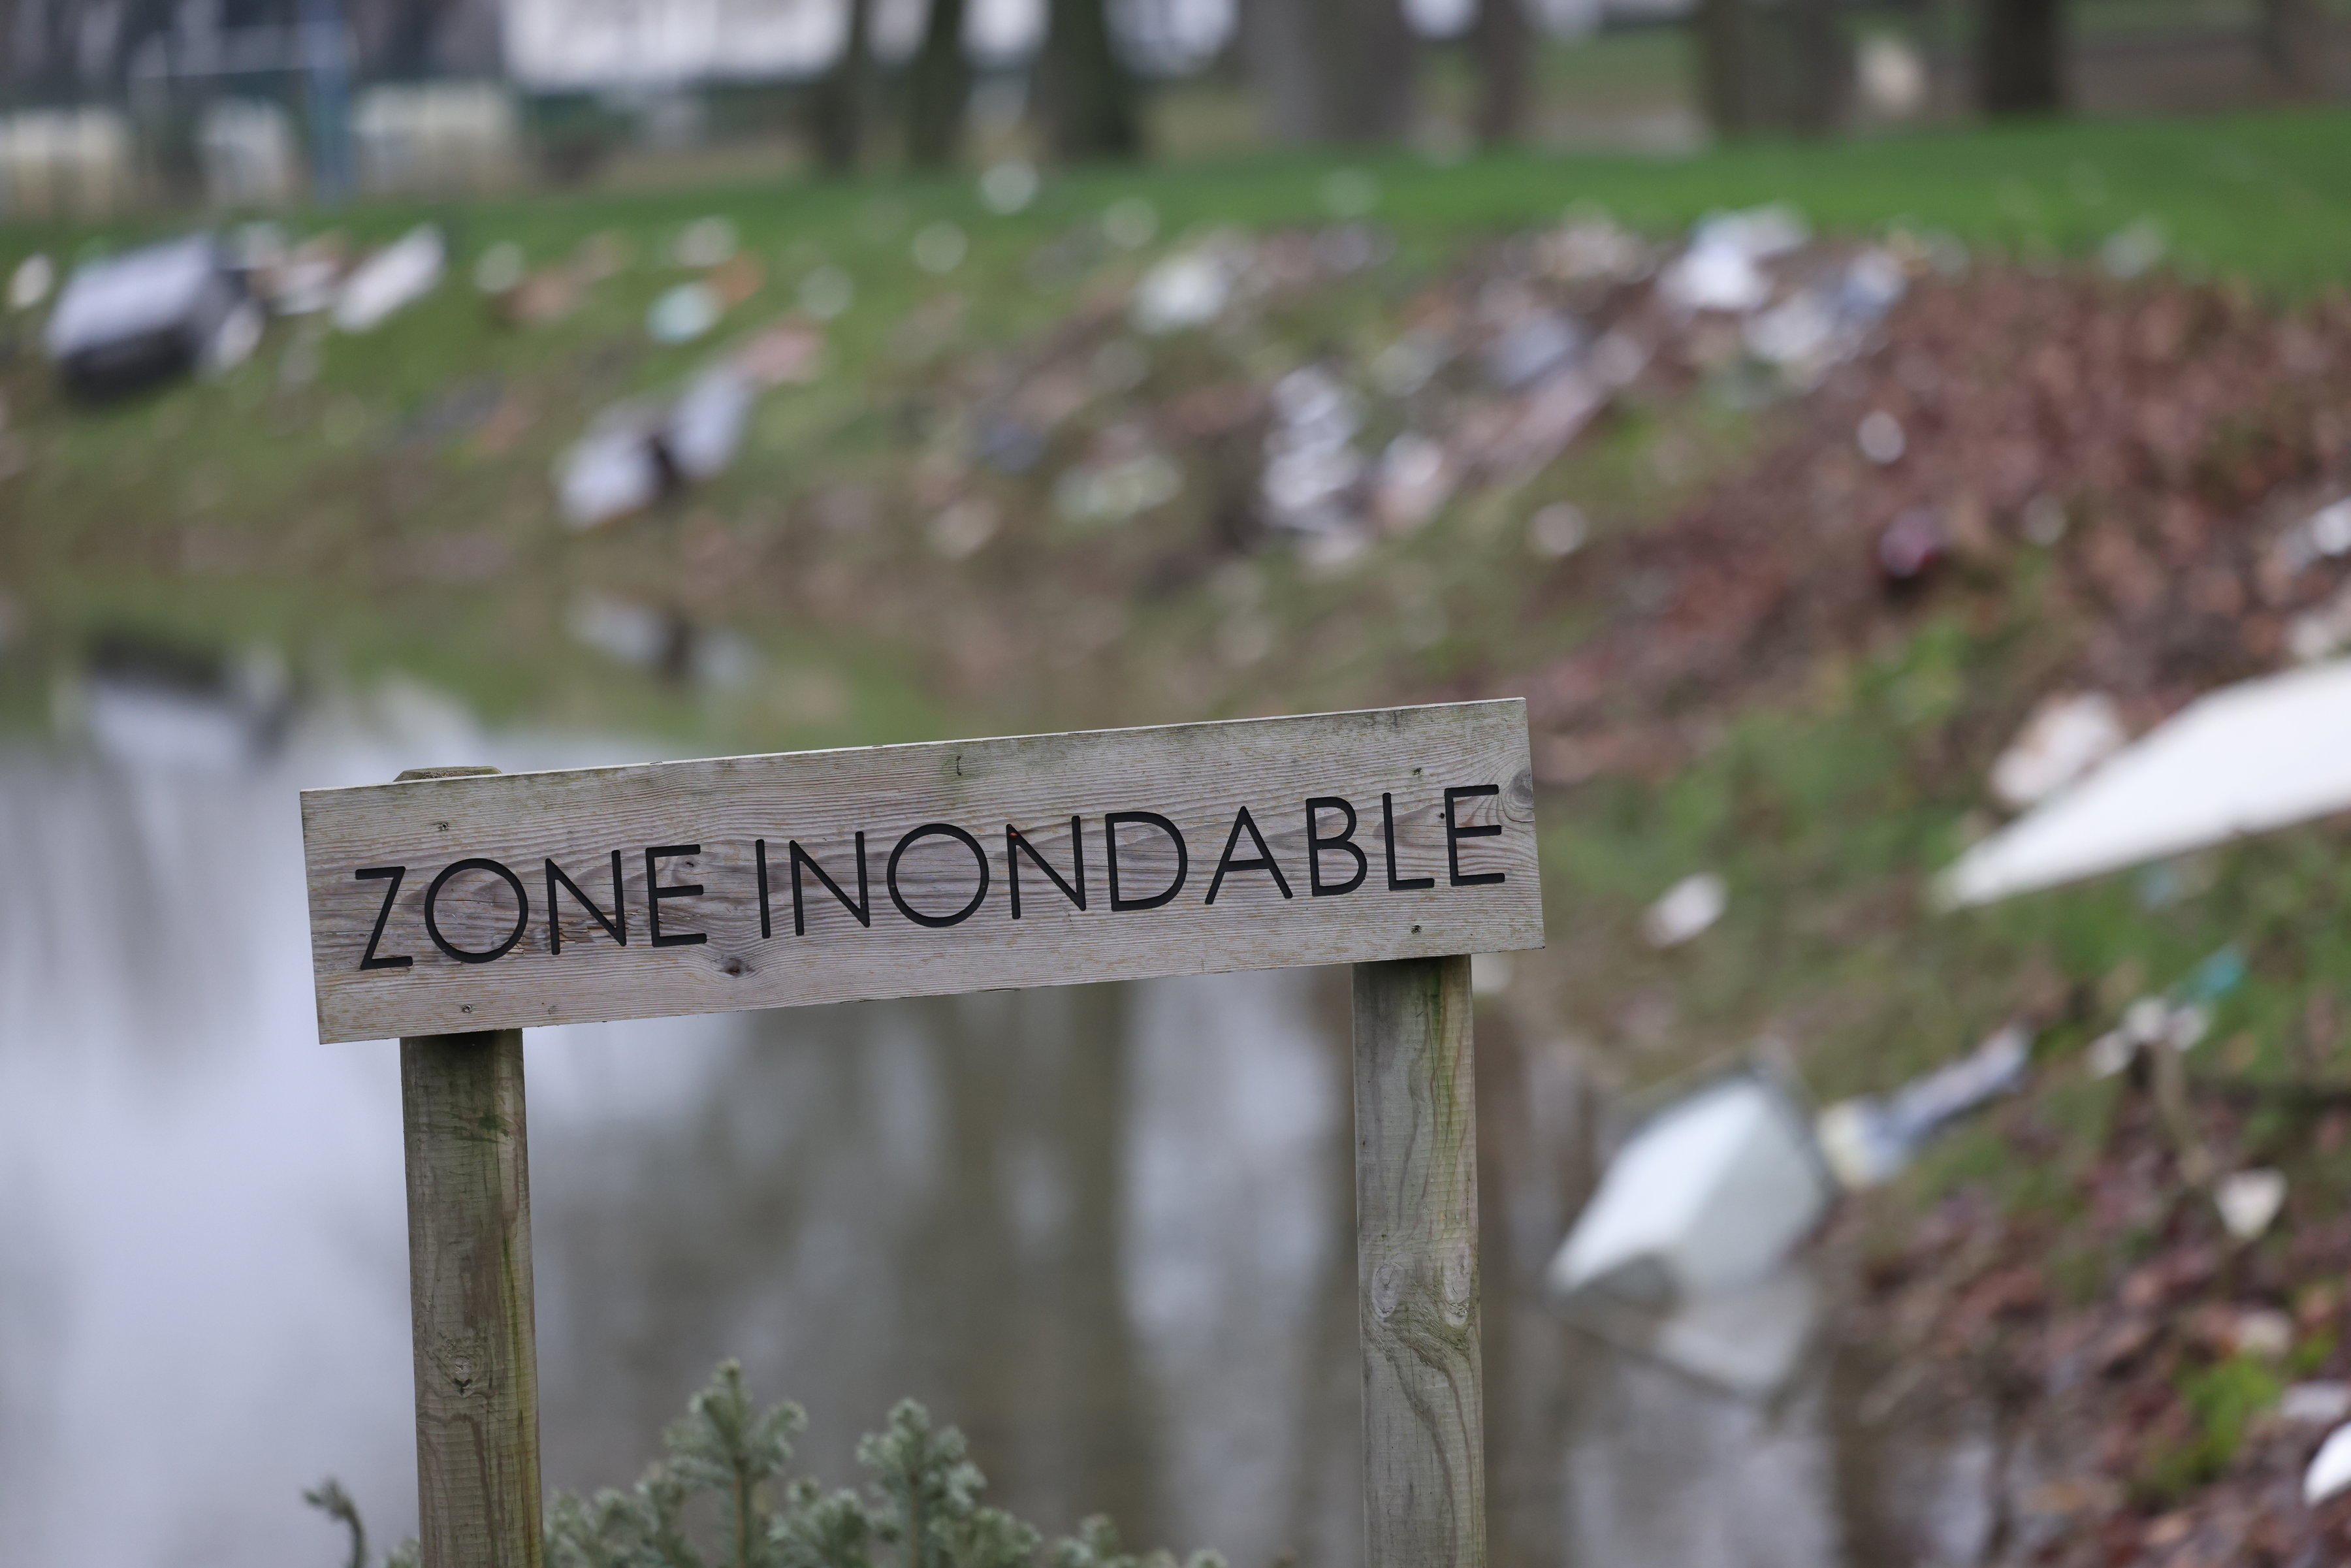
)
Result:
{"points": [[918, 1510]]}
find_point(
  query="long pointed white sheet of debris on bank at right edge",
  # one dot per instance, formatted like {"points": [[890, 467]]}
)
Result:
{"points": [[2242, 760]]}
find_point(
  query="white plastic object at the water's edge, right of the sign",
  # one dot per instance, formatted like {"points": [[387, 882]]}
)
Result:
{"points": [[1708, 1195]]}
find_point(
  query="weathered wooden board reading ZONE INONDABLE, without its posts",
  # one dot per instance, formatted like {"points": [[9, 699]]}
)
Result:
{"points": [[749, 883]]}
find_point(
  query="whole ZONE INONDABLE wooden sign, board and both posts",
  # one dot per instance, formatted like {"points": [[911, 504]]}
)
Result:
{"points": [[457, 906]]}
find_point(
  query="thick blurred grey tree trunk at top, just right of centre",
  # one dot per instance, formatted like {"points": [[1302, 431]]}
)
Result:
{"points": [[1332, 72]]}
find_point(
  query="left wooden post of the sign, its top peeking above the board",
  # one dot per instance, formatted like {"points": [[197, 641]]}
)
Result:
{"points": [[471, 1296]]}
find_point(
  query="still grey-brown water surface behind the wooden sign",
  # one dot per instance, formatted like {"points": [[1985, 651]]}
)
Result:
{"points": [[1106, 1231]]}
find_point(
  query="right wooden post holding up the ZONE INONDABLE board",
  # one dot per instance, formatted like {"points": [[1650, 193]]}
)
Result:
{"points": [[1416, 1266]]}
